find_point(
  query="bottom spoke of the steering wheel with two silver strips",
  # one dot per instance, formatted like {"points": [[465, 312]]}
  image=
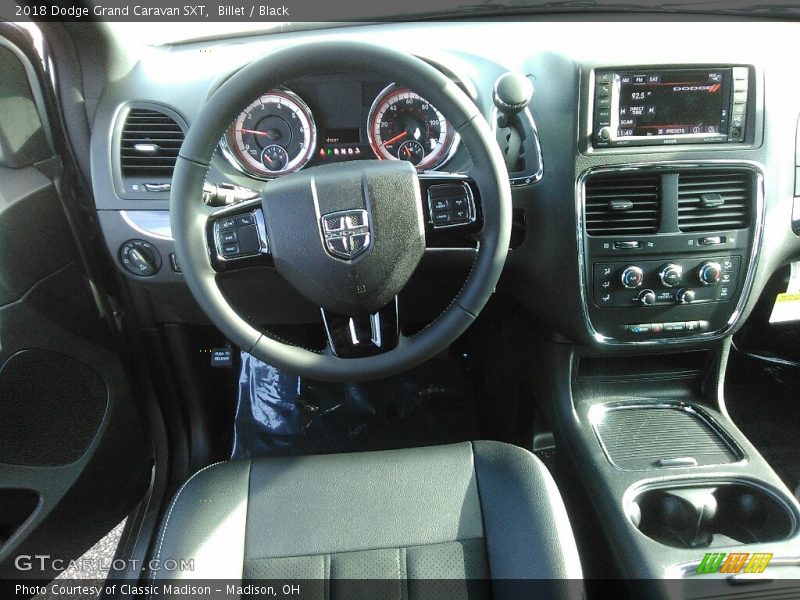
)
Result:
{"points": [[366, 335]]}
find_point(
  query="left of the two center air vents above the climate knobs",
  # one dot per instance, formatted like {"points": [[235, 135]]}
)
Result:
{"points": [[622, 204]]}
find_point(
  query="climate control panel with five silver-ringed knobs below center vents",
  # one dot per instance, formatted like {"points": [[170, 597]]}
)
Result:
{"points": [[646, 283]]}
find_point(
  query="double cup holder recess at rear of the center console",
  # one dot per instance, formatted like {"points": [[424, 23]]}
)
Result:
{"points": [[712, 514]]}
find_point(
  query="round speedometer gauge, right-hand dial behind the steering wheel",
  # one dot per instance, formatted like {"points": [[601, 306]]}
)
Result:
{"points": [[404, 126]]}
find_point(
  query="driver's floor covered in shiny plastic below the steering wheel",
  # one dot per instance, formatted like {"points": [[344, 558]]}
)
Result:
{"points": [[279, 414]]}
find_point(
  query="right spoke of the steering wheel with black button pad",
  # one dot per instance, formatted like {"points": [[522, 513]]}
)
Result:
{"points": [[452, 206]]}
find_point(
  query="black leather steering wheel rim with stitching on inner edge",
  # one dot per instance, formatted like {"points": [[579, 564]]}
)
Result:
{"points": [[189, 215]]}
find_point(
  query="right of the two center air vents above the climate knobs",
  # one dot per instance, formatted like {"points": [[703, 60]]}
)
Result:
{"points": [[714, 200]]}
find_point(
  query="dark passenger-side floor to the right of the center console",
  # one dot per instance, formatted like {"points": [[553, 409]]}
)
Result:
{"points": [[763, 400]]}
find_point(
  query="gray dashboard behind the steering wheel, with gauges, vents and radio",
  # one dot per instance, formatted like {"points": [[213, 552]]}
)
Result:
{"points": [[660, 207]]}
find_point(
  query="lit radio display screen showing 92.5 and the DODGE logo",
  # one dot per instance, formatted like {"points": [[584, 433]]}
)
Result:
{"points": [[673, 102]]}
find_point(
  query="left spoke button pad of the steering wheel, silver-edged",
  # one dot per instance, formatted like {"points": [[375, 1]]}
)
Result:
{"points": [[237, 236]]}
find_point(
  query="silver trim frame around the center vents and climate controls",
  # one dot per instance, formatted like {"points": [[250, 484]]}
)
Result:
{"points": [[755, 250]]}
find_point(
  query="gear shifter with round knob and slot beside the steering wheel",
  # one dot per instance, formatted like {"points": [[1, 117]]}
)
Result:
{"points": [[515, 129]]}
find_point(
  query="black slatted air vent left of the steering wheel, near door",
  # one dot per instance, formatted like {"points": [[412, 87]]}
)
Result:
{"points": [[149, 144]]}
